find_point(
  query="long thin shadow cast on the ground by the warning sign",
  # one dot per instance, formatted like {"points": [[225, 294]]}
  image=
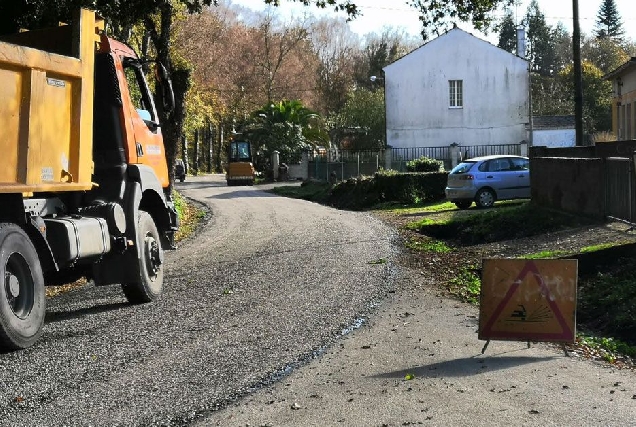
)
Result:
{"points": [[465, 367]]}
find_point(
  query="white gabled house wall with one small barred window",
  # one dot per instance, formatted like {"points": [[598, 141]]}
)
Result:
{"points": [[457, 89]]}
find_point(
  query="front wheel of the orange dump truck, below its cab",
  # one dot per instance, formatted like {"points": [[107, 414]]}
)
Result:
{"points": [[150, 284]]}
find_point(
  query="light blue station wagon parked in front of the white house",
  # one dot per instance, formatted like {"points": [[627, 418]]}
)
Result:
{"points": [[484, 180]]}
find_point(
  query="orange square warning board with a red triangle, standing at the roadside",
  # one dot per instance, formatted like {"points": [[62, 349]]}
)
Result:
{"points": [[528, 300]]}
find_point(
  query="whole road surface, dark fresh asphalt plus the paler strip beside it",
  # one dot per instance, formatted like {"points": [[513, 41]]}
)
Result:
{"points": [[250, 332]]}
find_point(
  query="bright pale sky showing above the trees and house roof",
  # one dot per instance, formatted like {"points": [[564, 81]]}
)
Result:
{"points": [[378, 14]]}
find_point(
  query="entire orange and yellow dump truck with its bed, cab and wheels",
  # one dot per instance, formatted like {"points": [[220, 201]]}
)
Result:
{"points": [[84, 183]]}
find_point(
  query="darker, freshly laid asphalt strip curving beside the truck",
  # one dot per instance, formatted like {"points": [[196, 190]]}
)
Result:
{"points": [[263, 288]]}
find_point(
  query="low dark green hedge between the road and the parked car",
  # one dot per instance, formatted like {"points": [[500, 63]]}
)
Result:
{"points": [[388, 186]]}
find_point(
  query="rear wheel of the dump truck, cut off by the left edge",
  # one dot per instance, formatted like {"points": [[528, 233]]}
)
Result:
{"points": [[22, 295]]}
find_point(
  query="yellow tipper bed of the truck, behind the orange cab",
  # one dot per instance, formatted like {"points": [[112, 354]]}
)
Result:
{"points": [[46, 109]]}
